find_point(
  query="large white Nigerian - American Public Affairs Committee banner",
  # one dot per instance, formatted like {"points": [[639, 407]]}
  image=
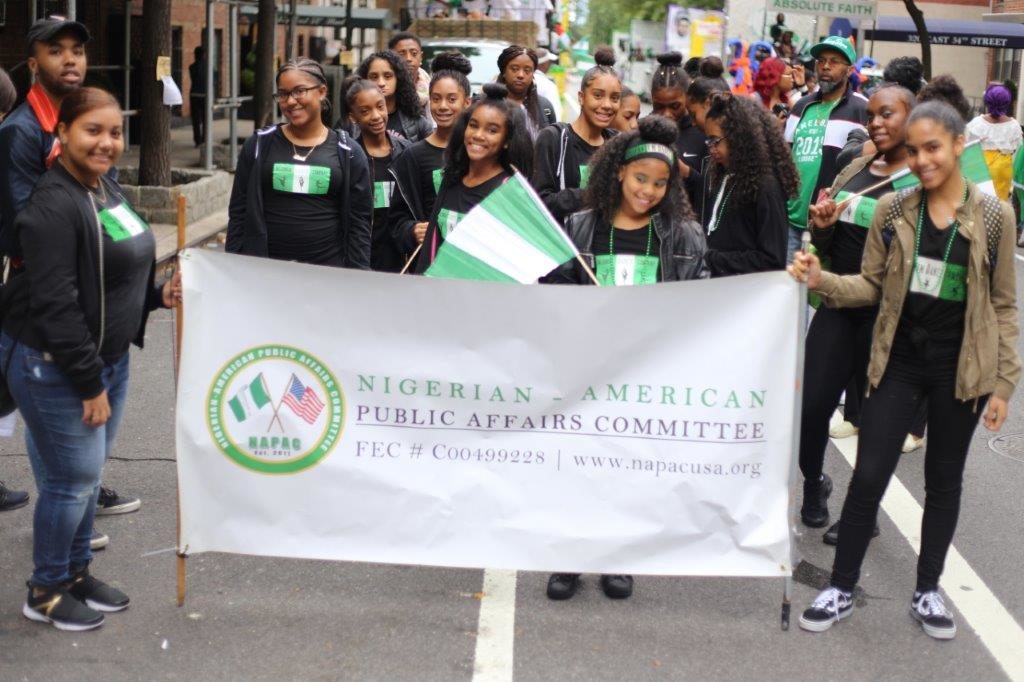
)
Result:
{"points": [[333, 414]]}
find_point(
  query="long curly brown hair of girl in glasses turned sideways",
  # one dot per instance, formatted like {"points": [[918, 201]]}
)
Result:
{"points": [[757, 145]]}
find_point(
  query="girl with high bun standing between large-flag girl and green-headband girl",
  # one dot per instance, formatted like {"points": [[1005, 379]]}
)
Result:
{"points": [[561, 170]]}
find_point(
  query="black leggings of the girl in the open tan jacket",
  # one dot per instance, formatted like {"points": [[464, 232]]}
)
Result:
{"points": [[887, 416]]}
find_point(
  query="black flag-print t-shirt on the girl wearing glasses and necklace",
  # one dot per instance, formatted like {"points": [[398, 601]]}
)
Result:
{"points": [[301, 202]]}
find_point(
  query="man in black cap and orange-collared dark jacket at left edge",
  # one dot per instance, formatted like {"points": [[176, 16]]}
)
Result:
{"points": [[29, 146]]}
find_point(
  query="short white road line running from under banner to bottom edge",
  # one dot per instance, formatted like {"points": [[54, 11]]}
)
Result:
{"points": [[496, 629]]}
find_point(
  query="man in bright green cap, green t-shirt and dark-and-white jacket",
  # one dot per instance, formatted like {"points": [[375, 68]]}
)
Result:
{"points": [[819, 129]]}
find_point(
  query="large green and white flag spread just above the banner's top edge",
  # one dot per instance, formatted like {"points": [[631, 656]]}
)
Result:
{"points": [[509, 237]]}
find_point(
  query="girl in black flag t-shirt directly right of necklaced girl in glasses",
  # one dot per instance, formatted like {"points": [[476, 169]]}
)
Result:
{"points": [[368, 111]]}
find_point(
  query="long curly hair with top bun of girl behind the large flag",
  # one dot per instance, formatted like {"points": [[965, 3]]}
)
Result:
{"points": [[519, 151]]}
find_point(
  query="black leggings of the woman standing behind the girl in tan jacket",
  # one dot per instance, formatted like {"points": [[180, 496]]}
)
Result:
{"points": [[839, 344]]}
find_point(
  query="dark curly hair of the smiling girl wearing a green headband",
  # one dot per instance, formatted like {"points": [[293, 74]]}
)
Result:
{"points": [[605, 192]]}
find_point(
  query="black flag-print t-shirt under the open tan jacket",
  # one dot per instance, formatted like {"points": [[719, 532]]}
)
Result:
{"points": [[932, 323]]}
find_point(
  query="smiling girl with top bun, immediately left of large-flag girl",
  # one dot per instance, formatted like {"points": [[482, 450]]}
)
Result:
{"points": [[418, 170]]}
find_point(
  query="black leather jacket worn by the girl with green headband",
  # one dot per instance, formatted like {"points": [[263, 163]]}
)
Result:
{"points": [[682, 252]]}
